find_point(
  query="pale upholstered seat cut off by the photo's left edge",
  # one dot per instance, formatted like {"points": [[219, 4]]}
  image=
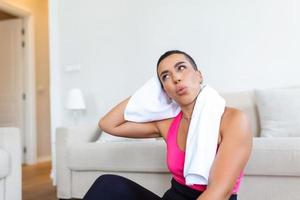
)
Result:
{"points": [[10, 164]]}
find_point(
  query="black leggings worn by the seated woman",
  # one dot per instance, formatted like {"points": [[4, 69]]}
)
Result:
{"points": [[114, 187]]}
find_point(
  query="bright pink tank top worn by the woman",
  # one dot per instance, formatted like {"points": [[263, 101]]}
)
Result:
{"points": [[175, 158]]}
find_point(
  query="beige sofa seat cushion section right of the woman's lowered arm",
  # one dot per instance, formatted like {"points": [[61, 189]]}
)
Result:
{"points": [[274, 157]]}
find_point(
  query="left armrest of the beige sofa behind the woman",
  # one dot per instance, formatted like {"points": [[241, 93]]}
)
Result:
{"points": [[66, 137]]}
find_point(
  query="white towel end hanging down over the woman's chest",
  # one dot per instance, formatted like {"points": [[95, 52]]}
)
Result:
{"points": [[202, 139]]}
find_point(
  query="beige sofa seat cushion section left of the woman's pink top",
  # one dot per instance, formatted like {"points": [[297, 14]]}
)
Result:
{"points": [[133, 156]]}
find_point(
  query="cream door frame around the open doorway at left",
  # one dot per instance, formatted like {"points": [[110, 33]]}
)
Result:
{"points": [[29, 109]]}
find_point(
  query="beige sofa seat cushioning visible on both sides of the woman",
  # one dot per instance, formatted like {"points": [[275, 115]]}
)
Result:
{"points": [[270, 156]]}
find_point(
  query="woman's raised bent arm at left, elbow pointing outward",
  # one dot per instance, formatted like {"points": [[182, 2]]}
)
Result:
{"points": [[114, 123]]}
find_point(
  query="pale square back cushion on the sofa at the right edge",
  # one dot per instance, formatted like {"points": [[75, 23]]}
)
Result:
{"points": [[279, 112]]}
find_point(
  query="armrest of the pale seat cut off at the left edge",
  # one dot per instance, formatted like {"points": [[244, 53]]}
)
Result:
{"points": [[10, 142]]}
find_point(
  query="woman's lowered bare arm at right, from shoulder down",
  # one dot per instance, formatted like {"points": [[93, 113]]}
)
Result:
{"points": [[232, 155]]}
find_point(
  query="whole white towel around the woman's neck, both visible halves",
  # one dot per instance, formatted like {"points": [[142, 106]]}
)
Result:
{"points": [[150, 103]]}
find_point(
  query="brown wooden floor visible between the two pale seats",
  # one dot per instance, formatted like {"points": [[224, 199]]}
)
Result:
{"points": [[36, 182]]}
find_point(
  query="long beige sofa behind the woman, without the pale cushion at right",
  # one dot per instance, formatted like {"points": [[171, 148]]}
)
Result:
{"points": [[273, 171]]}
